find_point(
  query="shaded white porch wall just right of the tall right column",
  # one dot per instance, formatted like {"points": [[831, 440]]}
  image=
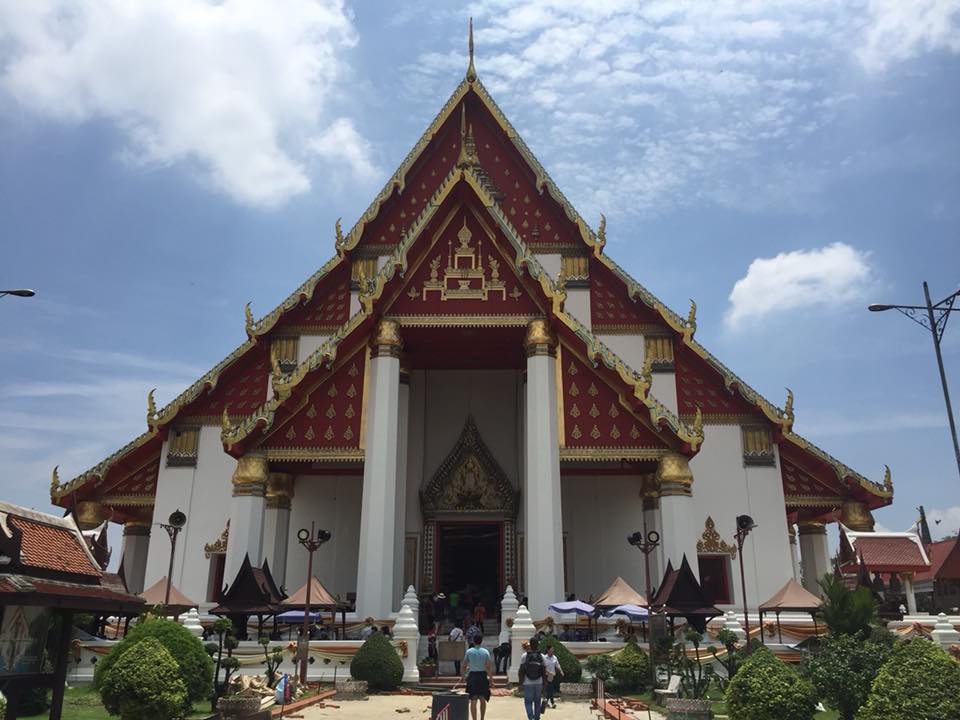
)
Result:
{"points": [[598, 515]]}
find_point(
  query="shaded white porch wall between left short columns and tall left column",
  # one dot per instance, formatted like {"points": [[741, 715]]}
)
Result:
{"points": [[333, 503]]}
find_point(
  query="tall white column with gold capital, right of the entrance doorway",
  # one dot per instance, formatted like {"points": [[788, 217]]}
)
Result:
{"points": [[542, 517]]}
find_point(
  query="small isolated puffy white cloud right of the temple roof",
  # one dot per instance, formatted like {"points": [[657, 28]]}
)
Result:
{"points": [[823, 277]]}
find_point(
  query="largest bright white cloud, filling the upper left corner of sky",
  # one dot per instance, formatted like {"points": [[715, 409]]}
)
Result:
{"points": [[235, 88]]}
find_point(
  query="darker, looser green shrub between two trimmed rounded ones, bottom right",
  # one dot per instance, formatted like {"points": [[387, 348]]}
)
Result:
{"points": [[842, 670]]}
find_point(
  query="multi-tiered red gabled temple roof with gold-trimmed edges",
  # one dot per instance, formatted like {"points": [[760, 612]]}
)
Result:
{"points": [[470, 166]]}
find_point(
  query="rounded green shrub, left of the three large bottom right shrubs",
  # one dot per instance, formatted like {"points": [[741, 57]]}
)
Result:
{"points": [[766, 688]]}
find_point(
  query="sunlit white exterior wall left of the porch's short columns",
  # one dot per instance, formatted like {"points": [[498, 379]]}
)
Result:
{"points": [[204, 494]]}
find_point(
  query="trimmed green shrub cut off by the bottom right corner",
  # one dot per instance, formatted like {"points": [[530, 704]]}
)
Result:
{"points": [[918, 680]]}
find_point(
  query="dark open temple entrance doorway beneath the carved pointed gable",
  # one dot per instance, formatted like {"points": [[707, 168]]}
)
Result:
{"points": [[470, 563]]}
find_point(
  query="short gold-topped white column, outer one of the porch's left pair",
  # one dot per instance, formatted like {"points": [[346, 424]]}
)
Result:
{"points": [[246, 514]]}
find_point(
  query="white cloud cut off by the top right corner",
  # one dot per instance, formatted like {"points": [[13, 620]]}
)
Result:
{"points": [[899, 30]]}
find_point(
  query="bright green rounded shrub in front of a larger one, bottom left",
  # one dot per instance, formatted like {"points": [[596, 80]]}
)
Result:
{"points": [[144, 684]]}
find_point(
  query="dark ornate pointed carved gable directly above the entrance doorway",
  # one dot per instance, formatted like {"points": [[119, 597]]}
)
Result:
{"points": [[469, 480]]}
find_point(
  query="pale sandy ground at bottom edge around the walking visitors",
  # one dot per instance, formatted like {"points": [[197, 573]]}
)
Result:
{"points": [[386, 706]]}
